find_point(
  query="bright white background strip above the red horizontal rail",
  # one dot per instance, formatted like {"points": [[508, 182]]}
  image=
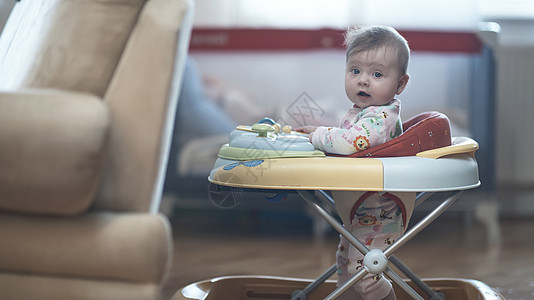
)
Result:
{"points": [[436, 14]]}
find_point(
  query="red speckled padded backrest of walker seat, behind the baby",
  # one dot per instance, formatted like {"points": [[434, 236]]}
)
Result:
{"points": [[423, 132]]}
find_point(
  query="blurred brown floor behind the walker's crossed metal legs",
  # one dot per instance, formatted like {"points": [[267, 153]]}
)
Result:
{"points": [[210, 243]]}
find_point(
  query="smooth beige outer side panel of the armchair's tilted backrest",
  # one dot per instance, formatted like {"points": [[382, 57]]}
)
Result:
{"points": [[142, 98]]}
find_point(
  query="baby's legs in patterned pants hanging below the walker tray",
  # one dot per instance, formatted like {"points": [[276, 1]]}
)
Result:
{"points": [[377, 221]]}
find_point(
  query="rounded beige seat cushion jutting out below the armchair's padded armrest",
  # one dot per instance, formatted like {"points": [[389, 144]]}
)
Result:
{"points": [[134, 247]]}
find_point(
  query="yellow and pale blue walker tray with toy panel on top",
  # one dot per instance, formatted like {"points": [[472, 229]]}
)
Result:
{"points": [[259, 157]]}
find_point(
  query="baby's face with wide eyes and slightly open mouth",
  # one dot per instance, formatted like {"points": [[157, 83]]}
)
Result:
{"points": [[373, 77]]}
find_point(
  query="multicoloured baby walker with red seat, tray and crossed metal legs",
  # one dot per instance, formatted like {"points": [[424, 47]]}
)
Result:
{"points": [[424, 159]]}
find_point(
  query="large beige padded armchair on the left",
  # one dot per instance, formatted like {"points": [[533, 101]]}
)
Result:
{"points": [[88, 91]]}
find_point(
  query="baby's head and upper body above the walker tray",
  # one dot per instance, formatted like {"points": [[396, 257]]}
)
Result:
{"points": [[376, 65]]}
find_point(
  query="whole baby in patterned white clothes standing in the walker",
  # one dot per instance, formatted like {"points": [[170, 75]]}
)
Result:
{"points": [[376, 71]]}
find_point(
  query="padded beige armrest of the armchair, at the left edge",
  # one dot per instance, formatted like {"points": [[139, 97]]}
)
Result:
{"points": [[51, 147]]}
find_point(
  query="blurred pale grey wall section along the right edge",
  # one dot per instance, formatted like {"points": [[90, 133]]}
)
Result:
{"points": [[515, 107]]}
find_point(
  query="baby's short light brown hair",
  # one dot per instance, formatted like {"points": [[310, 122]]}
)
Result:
{"points": [[365, 38]]}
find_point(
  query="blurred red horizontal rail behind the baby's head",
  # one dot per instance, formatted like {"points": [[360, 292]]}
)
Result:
{"points": [[252, 39]]}
